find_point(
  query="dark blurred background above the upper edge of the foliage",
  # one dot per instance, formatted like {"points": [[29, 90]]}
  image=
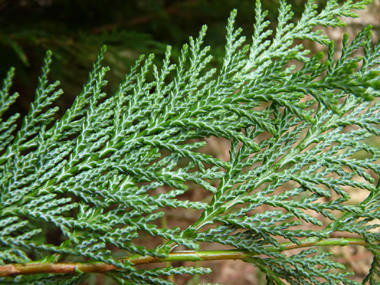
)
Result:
{"points": [[75, 31]]}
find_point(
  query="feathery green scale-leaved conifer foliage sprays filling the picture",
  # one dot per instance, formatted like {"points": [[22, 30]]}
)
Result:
{"points": [[295, 123]]}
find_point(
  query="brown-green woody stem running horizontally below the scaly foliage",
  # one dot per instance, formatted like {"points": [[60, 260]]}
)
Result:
{"points": [[99, 267]]}
